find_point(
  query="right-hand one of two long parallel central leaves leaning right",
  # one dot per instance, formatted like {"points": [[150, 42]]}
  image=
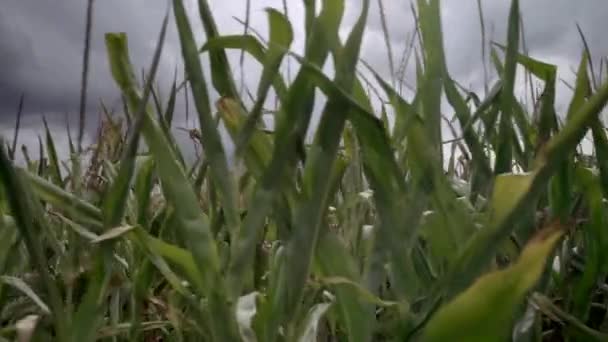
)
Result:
{"points": [[317, 174]]}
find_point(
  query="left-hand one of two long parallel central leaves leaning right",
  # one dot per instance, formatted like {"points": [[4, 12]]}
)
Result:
{"points": [[290, 129]]}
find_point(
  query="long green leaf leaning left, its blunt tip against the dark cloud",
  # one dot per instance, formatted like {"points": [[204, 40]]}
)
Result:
{"points": [[193, 224]]}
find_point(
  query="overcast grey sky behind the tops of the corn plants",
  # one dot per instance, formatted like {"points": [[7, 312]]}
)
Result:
{"points": [[41, 45]]}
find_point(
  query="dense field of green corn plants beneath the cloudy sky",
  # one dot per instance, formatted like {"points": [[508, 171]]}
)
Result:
{"points": [[377, 229]]}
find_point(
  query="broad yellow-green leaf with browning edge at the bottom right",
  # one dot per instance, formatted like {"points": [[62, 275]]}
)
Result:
{"points": [[485, 311]]}
